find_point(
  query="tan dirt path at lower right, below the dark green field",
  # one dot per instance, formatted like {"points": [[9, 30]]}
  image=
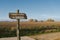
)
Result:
{"points": [[49, 36]]}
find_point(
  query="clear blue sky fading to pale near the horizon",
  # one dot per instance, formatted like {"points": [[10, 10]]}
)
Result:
{"points": [[34, 9]]}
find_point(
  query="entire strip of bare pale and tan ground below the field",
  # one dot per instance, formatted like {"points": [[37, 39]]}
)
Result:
{"points": [[50, 36]]}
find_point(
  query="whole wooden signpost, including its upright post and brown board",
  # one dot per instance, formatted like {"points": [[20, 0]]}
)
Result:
{"points": [[18, 16]]}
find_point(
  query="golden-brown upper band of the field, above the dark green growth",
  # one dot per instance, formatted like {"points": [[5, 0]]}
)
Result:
{"points": [[29, 25]]}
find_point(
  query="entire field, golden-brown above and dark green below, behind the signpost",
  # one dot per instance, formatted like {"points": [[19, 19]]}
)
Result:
{"points": [[8, 29]]}
